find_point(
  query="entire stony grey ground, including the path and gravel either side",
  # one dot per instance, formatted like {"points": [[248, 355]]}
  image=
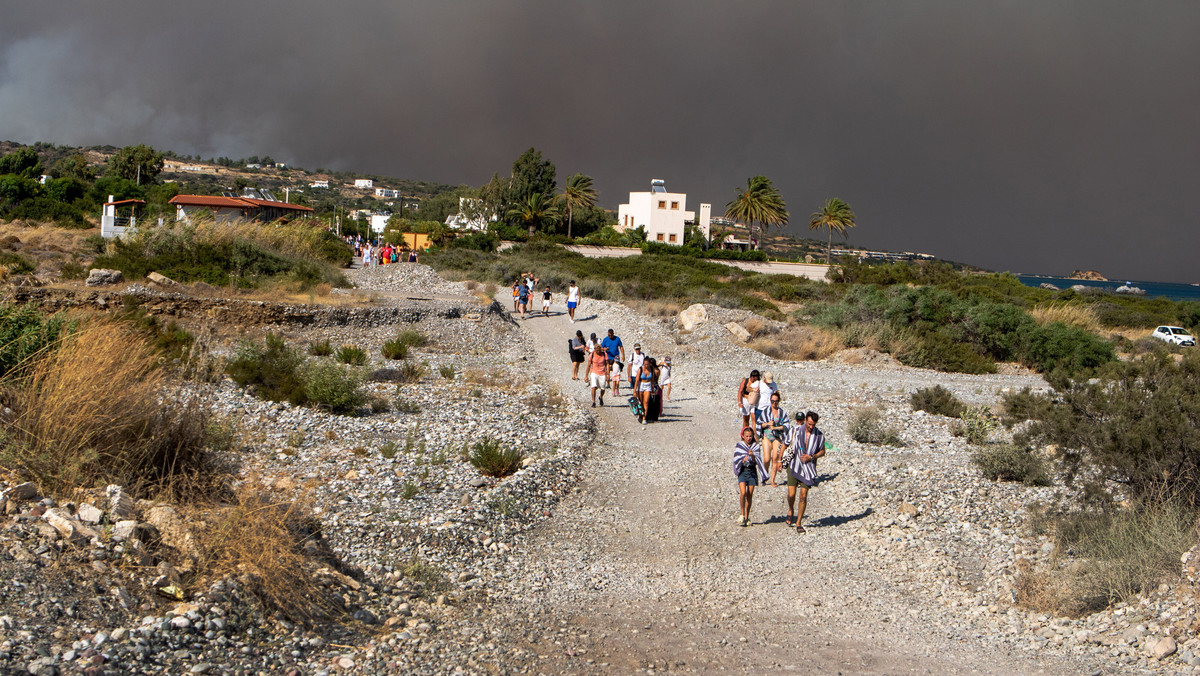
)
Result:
{"points": [[615, 549]]}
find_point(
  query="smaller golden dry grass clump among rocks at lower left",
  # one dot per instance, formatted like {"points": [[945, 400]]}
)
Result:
{"points": [[274, 548]]}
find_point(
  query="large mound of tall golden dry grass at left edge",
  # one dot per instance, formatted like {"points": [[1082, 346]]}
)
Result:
{"points": [[99, 410]]}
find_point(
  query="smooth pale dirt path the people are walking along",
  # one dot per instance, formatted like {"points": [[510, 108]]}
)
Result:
{"points": [[649, 565]]}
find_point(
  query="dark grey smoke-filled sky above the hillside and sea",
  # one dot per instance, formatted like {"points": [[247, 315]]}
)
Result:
{"points": [[1035, 136]]}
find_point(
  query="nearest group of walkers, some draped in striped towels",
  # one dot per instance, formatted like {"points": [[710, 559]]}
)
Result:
{"points": [[773, 442]]}
